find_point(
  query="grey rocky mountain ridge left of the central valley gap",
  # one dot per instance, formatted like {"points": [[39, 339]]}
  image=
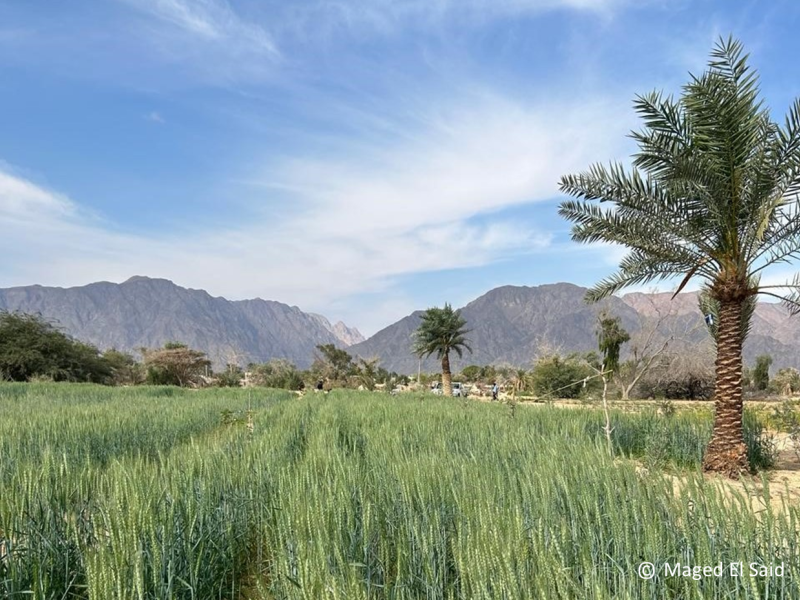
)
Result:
{"points": [[144, 312]]}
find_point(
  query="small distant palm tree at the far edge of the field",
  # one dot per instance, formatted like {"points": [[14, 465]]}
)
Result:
{"points": [[442, 331]]}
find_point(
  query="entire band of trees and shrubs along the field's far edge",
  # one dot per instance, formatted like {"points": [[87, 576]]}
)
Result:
{"points": [[31, 348]]}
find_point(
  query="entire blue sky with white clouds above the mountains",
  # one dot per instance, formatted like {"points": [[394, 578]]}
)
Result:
{"points": [[357, 158]]}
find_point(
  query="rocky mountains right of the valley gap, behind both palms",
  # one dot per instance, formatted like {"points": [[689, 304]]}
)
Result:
{"points": [[512, 325]]}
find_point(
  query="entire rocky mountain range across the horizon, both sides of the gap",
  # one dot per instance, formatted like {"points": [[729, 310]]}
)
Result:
{"points": [[510, 325]]}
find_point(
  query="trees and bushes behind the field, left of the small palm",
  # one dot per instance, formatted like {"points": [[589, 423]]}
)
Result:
{"points": [[32, 348]]}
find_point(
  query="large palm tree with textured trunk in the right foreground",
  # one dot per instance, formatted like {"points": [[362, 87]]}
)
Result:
{"points": [[712, 194]]}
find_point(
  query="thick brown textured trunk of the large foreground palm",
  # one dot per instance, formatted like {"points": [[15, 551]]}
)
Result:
{"points": [[726, 452]]}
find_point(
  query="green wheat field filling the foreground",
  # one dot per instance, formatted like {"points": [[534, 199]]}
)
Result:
{"points": [[154, 493]]}
